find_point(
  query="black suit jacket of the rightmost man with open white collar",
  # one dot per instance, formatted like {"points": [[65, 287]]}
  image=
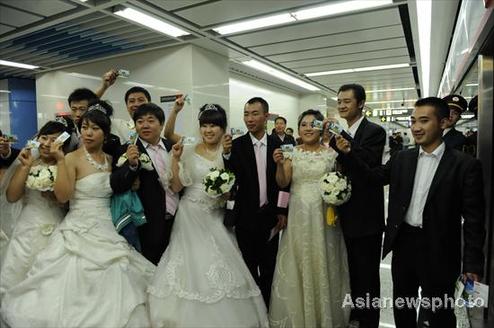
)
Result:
{"points": [[456, 191]]}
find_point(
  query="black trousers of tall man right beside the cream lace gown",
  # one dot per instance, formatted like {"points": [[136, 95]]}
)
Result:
{"points": [[364, 259]]}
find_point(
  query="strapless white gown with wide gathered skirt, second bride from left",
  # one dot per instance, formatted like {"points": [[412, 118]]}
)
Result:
{"points": [[87, 276]]}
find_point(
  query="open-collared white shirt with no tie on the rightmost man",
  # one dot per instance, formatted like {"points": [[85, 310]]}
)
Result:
{"points": [[426, 169]]}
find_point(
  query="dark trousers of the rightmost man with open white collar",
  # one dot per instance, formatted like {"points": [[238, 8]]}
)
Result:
{"points": [[410, 271]]}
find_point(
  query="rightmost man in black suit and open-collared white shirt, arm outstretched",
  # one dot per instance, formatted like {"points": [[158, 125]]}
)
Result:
{"points": [[431, 189]]}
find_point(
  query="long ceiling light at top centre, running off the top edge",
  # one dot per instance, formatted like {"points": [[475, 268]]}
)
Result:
{"points": [[300, 15]]}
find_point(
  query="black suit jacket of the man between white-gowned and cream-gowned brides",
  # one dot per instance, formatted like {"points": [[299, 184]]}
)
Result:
{"points": [[242, 162]]}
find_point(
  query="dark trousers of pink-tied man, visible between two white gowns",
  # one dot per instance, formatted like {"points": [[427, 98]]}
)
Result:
{"points": [[154, 237]]}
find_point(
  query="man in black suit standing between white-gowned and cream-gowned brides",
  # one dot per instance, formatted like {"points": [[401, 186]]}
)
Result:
{"points": [[250, 157]]}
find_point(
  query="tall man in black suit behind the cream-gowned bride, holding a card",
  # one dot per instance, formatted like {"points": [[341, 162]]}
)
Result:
{"points": [[362, 217]]}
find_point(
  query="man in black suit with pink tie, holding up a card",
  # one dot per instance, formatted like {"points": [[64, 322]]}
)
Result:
{"points": [[159, 202]]}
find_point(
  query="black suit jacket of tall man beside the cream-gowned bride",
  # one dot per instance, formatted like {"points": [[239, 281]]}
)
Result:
{"points": [[363, 214]]}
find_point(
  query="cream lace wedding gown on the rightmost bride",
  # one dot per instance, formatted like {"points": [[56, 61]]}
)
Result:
{"points": [[311, 277]]}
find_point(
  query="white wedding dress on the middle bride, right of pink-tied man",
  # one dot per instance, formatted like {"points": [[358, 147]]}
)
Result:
{"points": [[202, 280]]}
